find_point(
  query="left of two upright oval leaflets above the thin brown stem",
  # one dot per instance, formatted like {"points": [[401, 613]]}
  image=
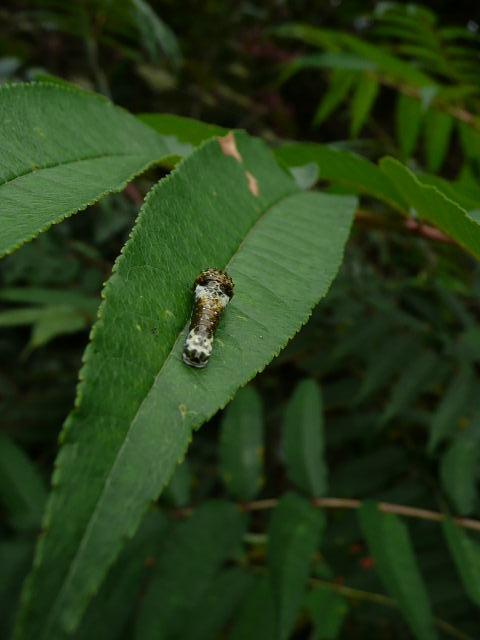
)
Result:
{"points": [[241, 444]]}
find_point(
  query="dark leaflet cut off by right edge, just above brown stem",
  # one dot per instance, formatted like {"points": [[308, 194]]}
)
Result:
{"points": [[459, 473]]}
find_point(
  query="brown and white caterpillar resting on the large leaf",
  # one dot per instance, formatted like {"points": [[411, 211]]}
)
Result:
{"points": [[213, 290]]}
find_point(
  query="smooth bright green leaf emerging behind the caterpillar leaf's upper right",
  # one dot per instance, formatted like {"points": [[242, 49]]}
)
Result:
{"points": [[343, 168]]}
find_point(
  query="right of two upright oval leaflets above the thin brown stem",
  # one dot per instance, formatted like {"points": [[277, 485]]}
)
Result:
{"points": [[303, 439]]}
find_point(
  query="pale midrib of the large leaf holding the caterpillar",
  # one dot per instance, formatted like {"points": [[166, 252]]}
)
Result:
{"points": [[118, 456]]}
